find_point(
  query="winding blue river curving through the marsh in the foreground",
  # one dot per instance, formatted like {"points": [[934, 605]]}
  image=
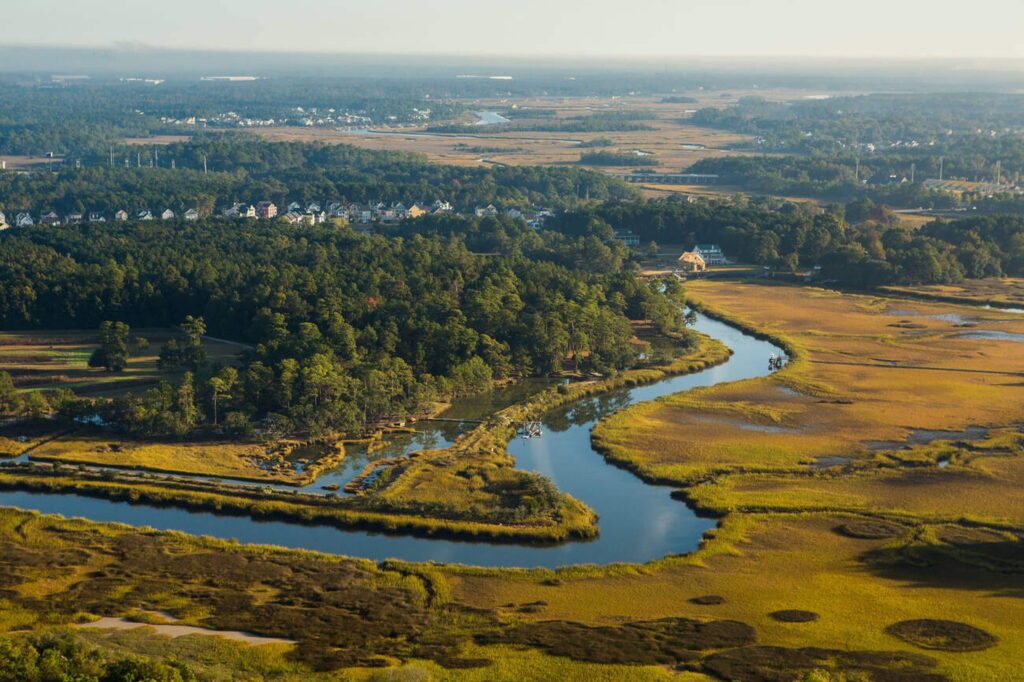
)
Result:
{"points": [[638, 523]]}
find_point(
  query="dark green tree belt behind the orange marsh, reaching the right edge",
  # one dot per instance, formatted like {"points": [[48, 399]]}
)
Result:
{"points": [[856, 244]]}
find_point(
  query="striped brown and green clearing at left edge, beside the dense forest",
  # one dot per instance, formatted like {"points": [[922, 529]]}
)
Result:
{"points": [[52, 360]]}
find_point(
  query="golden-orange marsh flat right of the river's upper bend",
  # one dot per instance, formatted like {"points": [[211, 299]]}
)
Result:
{"points": [[871, 374]]}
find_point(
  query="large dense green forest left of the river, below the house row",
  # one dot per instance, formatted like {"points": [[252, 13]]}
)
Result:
{"points": [[346, 330]]}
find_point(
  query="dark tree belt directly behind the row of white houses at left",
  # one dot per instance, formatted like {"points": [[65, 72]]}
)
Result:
{"points": [[246, 169]]}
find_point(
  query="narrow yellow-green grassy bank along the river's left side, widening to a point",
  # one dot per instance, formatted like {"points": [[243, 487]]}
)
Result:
{"points": [[470, 492]]}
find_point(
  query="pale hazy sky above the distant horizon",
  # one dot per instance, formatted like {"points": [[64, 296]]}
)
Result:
{"points": [[534, 28]]}
